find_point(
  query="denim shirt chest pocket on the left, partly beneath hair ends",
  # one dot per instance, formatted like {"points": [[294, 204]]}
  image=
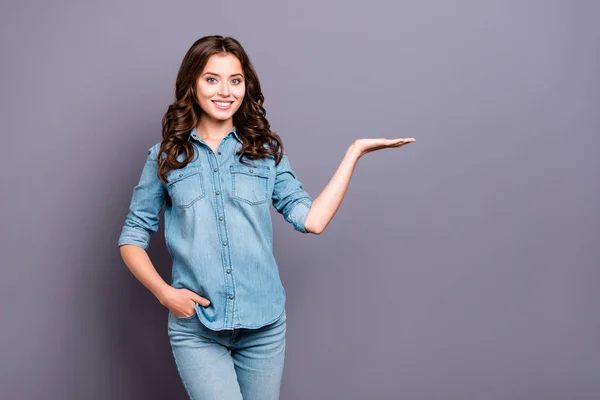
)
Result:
{"points": [[185, 186]]}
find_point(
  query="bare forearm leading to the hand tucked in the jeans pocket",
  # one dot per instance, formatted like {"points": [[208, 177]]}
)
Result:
{"points": [[138, 262]]}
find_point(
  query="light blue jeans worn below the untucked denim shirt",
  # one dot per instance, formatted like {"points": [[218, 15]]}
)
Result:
{"points": [[229, 364]]}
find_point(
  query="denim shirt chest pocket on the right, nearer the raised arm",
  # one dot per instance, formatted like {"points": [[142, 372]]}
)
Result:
{"points": [[250, 184]]}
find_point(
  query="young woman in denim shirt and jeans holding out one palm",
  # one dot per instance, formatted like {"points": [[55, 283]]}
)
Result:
{"points": [[218, 169]]}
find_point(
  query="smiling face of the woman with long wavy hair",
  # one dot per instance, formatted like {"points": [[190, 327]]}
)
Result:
{"points": [[221, 86]]}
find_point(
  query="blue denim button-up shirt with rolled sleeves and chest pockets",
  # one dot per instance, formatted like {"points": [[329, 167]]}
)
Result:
{"points": [[218, 228]]}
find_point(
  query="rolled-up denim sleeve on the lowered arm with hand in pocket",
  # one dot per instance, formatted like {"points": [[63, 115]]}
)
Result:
{"points": [[145, 206]]}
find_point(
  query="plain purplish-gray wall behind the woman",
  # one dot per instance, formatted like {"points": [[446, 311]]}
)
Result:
{"points": [[462, 266]]}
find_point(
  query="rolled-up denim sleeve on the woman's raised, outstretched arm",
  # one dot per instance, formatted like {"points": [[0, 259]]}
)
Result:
{"points": [[289, 197]]}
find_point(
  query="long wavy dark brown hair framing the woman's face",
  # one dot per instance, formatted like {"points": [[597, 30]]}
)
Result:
{"points": [[183, 115]]}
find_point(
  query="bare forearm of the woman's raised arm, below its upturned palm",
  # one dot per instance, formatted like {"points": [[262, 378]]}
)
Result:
{"points": [[329, 200]]}
